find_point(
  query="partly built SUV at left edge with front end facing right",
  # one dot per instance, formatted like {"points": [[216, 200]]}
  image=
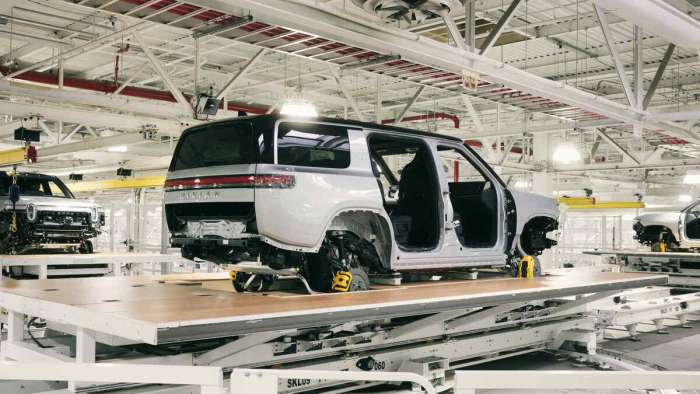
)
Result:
{"points": [[45, 215]]}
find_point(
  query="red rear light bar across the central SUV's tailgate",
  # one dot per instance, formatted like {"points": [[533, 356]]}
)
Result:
{"points": [[236, 181]]}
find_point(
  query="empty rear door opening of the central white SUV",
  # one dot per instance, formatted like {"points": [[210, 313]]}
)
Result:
{"points": [[407, 179]]}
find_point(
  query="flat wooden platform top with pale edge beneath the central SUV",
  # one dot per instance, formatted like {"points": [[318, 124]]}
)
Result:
{"points": [[153, 310]]}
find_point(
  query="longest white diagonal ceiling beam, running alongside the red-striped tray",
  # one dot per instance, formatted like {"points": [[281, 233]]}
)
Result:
{"points": [[334, 24]]}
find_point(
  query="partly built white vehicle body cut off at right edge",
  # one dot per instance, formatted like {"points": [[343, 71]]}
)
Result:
{"points": [[671, 230]]}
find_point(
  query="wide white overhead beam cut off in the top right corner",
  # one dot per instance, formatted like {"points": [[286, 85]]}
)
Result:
{"points": [[659, 18]]}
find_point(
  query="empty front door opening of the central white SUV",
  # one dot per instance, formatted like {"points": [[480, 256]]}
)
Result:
{"points": [[473, 199]]}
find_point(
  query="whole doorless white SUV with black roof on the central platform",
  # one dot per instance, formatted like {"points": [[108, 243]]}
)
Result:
{"points": [[324, 196]]}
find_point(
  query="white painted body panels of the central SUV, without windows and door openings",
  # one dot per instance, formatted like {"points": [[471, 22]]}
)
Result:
{"points": [[324, 199]]}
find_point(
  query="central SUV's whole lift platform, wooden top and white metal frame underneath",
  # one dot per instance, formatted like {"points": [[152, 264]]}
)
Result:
{"points": [[429, 328]]}
